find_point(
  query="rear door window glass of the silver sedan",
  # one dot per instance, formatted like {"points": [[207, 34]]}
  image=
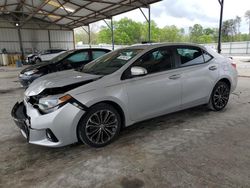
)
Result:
{"points": [[190, 56]]}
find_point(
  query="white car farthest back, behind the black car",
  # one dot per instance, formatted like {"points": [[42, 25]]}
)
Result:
{"points": [[45, 55]]}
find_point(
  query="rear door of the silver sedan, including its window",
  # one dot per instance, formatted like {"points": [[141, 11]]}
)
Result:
{"points": [[199, 72]]}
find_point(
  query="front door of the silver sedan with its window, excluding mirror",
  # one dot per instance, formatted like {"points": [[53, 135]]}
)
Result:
{"points": [[159, 91]]}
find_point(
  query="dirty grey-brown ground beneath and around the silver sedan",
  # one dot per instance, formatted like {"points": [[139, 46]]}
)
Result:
{"points": [[191, 148]]}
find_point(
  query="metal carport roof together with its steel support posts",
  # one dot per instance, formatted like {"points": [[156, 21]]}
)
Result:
{"points": [[64, 14]]}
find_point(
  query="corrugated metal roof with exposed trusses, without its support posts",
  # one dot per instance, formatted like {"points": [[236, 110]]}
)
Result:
{"points": [[68, 13]]}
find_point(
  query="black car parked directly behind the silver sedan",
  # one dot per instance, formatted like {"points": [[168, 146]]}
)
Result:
{"points": [[71, 59]]}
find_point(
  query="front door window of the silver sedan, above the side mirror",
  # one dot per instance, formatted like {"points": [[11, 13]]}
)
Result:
{"points": [[156, 61]]}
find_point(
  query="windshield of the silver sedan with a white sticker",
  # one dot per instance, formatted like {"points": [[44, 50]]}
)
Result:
{"points": [[110, 62]]}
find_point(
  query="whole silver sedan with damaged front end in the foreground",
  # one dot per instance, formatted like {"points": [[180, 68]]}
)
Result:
{"points": [[121, 88]]}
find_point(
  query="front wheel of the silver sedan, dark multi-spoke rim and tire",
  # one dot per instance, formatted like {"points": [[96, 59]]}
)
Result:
{"points": [[100, 126]]}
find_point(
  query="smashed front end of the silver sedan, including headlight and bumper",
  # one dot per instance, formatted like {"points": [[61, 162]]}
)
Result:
{"points": [[46, 111]]}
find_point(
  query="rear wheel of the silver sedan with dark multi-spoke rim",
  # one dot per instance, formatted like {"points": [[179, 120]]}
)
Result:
{"points": [[219, 97]]}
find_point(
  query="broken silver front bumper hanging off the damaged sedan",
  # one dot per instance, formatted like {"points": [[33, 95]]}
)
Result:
{"points": [[54, 129]]}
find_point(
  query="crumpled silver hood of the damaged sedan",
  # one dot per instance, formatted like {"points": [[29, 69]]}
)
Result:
{"points": [[58, 80]]}
